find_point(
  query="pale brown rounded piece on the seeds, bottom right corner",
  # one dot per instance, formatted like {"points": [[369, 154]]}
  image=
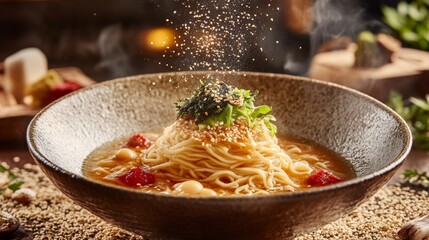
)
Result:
{"points": [[416, 229]]}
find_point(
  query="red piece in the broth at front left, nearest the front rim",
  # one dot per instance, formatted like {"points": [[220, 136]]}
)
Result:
{"points": [[137, 176]]}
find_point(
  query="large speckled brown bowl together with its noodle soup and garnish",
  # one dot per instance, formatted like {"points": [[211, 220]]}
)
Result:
{"points": [[131, 153]]}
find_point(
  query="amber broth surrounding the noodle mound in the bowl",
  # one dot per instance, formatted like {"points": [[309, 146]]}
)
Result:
{"points": [[103, 165]]}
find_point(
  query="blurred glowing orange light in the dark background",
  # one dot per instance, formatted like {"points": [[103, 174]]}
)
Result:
{"points": [[159, 38]]}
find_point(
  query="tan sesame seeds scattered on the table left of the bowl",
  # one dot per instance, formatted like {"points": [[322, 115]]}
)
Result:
{"points": [[52, 215]]}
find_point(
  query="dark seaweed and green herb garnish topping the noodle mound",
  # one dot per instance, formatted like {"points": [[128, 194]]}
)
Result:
{"points": [[221, 104]]}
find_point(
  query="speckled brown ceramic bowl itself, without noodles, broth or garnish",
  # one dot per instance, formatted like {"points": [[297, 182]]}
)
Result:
{"points": [[358, 128]]}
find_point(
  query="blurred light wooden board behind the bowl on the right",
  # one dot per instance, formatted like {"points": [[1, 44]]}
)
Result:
{"points": [[408, 73]]}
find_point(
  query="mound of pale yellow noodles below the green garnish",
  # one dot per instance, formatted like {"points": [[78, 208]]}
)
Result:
{"points": [[253, 164]]}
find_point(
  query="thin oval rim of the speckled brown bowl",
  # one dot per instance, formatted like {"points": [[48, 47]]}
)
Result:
{"points": [[41, 159]]}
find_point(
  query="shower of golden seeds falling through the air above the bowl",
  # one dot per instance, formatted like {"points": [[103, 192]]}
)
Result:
{"points": [[219, 34]]}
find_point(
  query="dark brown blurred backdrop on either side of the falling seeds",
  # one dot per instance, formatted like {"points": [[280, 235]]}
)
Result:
{"points": [[108, 39]]}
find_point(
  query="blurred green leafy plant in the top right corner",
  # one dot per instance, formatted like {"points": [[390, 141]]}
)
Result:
{"points": [[410, 21]]}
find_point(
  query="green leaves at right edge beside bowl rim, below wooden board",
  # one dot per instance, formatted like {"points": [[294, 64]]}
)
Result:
{"points": [[416, 113]]}
